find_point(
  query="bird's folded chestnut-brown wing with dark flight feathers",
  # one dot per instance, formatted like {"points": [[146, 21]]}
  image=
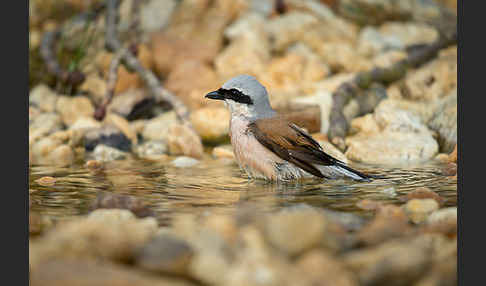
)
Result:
{"points": [[291, 143]]}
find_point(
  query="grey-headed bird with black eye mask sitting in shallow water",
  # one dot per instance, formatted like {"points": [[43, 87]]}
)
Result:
{"points": [[268, 146]]}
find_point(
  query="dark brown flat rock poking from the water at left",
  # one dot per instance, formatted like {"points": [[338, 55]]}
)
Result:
{"points": [[119, 201]]}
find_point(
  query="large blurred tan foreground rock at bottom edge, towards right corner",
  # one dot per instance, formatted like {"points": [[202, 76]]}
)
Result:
{"points": [[395, 262]]}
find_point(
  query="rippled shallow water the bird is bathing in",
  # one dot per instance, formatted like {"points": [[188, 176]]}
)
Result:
{"points": [[219, 186]]}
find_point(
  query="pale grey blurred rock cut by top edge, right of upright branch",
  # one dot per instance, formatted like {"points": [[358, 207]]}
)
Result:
{"points": [[155, 15]]}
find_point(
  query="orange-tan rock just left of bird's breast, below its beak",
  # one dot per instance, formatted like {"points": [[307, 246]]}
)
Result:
{"points": [[212, 124]]}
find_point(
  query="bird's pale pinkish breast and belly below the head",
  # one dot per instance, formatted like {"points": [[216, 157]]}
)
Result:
{"points": [[254, 158]]}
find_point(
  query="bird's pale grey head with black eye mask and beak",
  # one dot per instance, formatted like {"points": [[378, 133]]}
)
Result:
{"points": [[244, 96]]}
